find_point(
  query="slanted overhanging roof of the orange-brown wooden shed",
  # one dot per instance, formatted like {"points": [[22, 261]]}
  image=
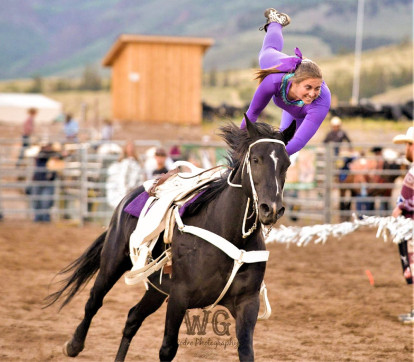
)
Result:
{"points": [[123, 39]]}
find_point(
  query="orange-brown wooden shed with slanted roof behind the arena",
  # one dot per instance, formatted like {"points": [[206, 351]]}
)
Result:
{"points": [[157, 78]]}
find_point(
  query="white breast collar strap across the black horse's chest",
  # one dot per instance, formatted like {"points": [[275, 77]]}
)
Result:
{"points": [[238, 255]]}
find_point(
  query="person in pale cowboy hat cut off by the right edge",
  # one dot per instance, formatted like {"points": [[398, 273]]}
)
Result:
{"points": [[405, 207]]}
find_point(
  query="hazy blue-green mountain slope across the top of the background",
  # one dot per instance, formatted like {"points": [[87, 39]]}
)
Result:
{"points": [[60, 38]]}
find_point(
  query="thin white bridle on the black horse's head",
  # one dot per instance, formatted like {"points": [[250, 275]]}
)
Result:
{"points": [[247, 165]]}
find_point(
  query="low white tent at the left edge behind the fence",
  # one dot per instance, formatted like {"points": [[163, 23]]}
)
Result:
{"points": [[14, 106]]}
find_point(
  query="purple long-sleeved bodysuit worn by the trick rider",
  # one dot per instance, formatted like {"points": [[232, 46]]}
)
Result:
{"points": [[308, 116]]}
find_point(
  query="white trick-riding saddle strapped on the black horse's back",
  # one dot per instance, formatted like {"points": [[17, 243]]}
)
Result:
{"points": [[170, 191]]}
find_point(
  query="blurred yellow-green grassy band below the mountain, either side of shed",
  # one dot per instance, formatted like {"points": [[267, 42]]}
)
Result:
{"points": [[386, 76]]}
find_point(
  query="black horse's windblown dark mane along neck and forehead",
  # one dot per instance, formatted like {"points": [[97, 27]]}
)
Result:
{"points": [[238, 141]]}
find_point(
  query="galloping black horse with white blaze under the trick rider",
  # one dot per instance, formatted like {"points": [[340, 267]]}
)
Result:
{"points": [[199, 270]]}
